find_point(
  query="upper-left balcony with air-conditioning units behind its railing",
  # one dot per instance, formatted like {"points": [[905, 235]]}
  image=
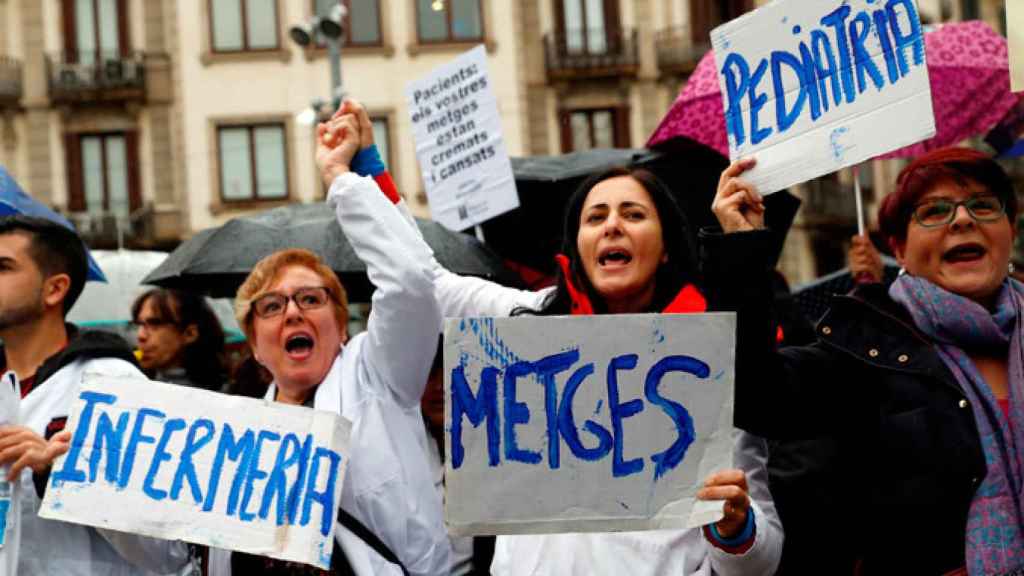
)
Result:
{"points": [[96, 78]]}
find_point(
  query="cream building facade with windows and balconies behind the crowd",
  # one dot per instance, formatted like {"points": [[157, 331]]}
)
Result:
{"points": [[149, 120]]}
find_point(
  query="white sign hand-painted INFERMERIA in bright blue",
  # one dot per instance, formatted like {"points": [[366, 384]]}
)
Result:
{"points": [[184, 464]]}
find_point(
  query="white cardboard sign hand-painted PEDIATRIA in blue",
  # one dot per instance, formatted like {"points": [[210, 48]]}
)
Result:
{"points": [[812, 88]]}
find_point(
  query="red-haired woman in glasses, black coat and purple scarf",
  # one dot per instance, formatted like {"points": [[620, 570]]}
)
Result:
{"points": [[918, 390]]}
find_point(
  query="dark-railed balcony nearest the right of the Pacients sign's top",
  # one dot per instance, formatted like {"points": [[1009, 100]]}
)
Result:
{"points": [[587, 54]]}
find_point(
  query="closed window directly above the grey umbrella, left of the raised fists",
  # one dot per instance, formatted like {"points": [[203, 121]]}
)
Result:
{"points": [[253, 162]]}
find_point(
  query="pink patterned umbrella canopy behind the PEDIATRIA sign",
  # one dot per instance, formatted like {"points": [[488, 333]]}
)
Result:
{"points": [[968, 70]]}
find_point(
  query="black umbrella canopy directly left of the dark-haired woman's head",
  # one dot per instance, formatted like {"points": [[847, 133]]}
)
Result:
{"points": [[532, 234]]}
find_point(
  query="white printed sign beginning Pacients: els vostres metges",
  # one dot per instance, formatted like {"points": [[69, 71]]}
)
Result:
{"points": [[459, 144]]}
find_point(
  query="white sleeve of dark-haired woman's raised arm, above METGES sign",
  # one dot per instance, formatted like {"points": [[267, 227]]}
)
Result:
{"points": [[465, 296]]}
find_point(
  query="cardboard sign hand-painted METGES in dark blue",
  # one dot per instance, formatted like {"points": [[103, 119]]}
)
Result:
{"points": [[585, 424]]}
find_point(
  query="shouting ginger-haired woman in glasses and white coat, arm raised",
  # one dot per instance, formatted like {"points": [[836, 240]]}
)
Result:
{"points": [[293, 310]]}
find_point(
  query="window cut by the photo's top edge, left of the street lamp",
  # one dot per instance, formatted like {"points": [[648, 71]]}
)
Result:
{"points": [[244, 25]]}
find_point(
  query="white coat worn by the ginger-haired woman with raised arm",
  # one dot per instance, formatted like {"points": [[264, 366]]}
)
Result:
{"points": [[376, 383]]}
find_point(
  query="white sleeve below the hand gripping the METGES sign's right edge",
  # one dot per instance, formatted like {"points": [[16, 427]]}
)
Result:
{"points": [[751, 456]]}
